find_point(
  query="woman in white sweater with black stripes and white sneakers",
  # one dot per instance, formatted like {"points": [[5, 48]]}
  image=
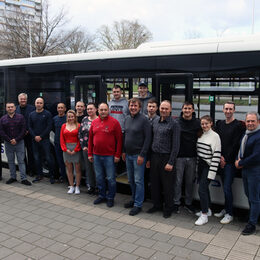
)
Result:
{"points": [[209, 153]]}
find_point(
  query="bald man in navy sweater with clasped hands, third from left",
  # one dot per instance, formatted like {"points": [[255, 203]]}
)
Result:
{"points": [[40, 125]]}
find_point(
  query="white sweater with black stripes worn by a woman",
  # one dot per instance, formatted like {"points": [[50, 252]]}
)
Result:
{"points": [[209, 150]]}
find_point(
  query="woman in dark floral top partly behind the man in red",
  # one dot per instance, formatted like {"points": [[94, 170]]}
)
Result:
{"points": [[83, 138]]}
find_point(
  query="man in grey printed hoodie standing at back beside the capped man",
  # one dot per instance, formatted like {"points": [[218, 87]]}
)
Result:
{"points": [[118, 106]]}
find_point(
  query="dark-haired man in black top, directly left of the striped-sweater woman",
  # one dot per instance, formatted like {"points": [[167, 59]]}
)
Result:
{"points": [[187, 157]]}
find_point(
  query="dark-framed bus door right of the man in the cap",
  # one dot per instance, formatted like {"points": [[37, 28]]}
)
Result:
{"points": [[176, 87]]}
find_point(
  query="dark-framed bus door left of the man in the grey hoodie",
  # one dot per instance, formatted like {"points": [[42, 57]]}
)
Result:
{"points": [[90, 88]]}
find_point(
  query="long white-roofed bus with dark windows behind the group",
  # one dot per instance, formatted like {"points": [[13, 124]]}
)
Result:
{"points": [[205, 71]]}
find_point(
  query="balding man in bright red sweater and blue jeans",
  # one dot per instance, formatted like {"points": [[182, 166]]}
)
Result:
{"points": [[104, 149]]}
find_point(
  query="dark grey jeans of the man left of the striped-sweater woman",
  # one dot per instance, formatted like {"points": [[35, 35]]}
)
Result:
{"points": [[185, 169]]}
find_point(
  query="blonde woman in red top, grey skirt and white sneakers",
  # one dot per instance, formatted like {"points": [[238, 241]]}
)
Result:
{"points": [[70, 146]]}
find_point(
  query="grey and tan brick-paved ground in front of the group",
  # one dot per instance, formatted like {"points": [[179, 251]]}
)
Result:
{"points": [[43, 222]]}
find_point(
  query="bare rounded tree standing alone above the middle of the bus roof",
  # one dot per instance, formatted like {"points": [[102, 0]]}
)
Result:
{"points": [[123, 35]]}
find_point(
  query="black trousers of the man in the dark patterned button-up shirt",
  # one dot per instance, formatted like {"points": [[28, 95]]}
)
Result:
{"points": [[161, 182]]}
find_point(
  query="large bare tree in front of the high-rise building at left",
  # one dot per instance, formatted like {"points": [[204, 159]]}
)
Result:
{"points": [[22, 35]]}
